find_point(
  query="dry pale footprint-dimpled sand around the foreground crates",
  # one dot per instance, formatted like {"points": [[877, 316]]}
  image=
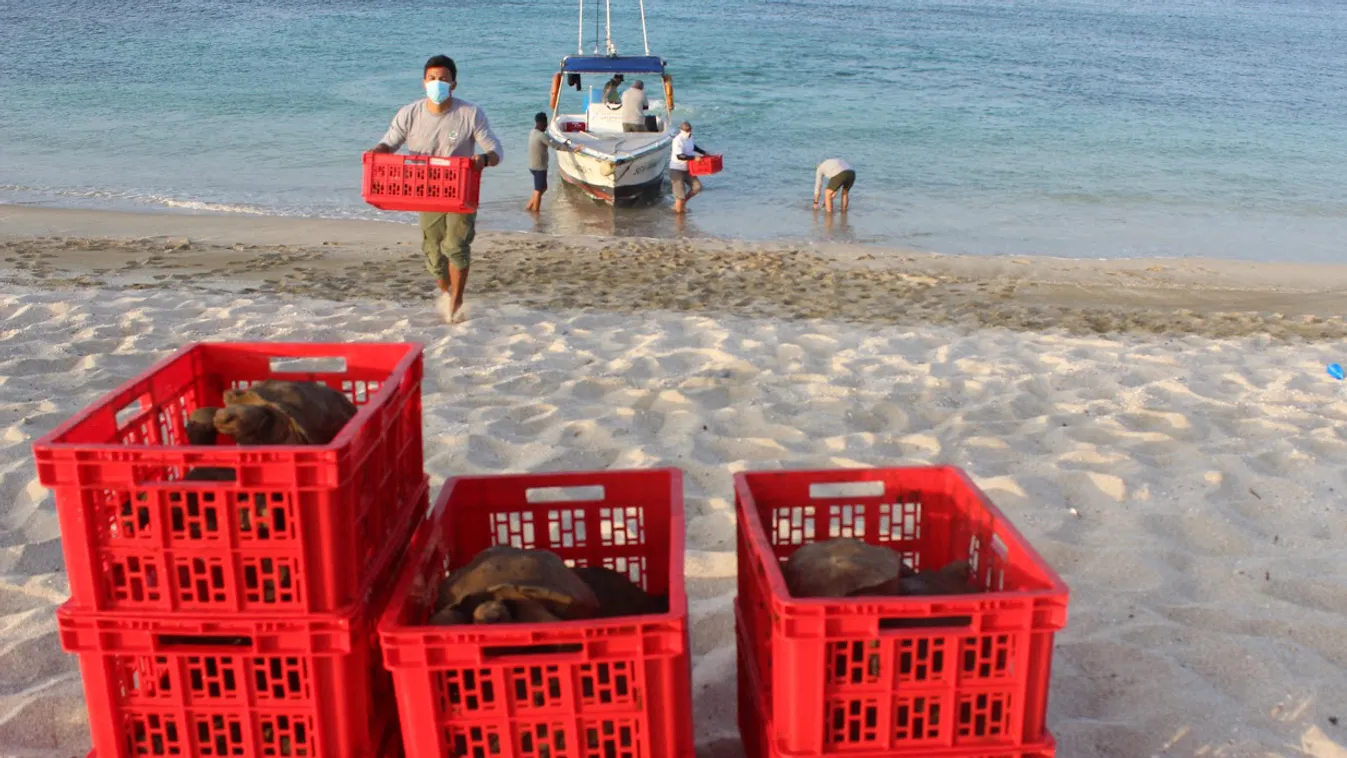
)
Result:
{"points": [[1189, 489]]}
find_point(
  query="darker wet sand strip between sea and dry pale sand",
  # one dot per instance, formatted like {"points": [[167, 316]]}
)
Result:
{"points": [[346, 261]]}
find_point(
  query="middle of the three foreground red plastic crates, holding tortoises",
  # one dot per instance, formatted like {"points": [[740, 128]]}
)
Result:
{"points": [[616, 689]]}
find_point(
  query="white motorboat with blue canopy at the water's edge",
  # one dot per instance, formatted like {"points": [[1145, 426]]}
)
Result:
{"points": [[593, 153]]}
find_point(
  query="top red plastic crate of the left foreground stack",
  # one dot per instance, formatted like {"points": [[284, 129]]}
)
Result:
{"points": [[301, 528]]}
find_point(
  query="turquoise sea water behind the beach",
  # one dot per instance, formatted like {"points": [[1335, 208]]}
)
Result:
{"points": [[1086, 129]]}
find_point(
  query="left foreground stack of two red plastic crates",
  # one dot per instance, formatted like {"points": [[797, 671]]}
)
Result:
{"points": [[236, 619]]}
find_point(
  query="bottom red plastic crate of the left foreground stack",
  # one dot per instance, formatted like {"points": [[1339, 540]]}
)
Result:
{"points": [[191, 686]]}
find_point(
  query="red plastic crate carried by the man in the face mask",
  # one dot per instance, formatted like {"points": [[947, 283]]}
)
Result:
{"points": [[421, 182]]}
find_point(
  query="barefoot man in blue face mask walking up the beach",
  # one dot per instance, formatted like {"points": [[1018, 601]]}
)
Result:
{"points": [[445, 127]]}
